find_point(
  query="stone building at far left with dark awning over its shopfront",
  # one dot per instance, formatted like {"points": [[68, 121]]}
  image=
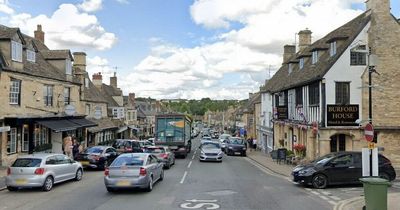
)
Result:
{"points": [[40, 100]]}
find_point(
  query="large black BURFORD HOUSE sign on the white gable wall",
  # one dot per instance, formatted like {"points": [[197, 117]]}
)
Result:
{"points": [[342, 115]]}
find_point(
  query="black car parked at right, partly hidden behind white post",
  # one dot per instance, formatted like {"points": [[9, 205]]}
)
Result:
{"points": [[338, 168]]}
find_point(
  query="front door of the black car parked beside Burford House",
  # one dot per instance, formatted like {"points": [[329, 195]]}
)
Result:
{"points": [[339, 168]]}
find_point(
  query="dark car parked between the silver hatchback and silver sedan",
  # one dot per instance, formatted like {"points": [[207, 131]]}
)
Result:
{"points": [[97, 156]]}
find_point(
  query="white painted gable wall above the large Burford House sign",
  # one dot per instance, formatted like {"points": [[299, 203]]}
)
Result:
{"points": [[342, 71]]}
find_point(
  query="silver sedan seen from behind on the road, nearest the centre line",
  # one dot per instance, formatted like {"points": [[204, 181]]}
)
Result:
{"points": [[133, 170]]}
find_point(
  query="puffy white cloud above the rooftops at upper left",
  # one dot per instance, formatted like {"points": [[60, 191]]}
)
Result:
{"points": [[79, 30]]}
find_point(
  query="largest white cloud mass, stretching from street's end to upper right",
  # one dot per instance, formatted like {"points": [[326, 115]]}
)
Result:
{"points": [[249, 50]]}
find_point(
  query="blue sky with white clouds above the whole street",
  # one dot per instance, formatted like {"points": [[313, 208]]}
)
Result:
{"points": [[187, 49]]}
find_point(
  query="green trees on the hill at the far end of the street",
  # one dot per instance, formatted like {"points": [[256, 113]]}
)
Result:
{"points": [[200, 107]]}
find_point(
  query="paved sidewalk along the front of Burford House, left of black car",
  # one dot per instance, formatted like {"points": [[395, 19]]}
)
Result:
{"points": [[266, 161]]}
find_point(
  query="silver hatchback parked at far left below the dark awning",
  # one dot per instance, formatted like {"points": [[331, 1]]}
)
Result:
{"points": [[42, 170]]}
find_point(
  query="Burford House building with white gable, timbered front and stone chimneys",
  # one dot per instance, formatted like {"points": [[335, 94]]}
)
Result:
{"points": [[320, 91]]}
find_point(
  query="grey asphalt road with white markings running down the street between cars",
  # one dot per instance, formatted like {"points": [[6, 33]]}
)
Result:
{"points": [[233, 184]]}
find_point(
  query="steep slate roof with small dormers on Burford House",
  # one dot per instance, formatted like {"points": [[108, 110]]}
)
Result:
{"points": [[282, 80]]}
